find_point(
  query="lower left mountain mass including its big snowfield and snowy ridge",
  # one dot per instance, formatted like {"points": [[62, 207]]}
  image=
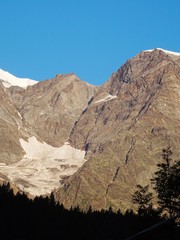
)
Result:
{"points": [[35, 124]]}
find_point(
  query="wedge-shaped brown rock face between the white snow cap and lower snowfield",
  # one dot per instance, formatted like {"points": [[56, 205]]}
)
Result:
{"points": [[52, 107]]}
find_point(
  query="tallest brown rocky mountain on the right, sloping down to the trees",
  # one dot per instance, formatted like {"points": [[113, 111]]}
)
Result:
{"points": [[131, 118]]}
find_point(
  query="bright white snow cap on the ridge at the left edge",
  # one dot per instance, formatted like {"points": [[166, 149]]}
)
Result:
{"points": [[9, 80]]}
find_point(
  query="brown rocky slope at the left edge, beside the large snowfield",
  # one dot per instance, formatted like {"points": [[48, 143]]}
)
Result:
{"points": [[12, 128]]}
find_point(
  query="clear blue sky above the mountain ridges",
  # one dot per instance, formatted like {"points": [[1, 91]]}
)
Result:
{"points": [[92, 38]]}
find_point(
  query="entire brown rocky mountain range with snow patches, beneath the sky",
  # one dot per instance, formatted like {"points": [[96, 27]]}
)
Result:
{"points": [[91, 145]]}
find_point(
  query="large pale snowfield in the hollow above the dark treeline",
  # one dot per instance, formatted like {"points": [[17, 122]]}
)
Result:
{"points": [[43, 167]]}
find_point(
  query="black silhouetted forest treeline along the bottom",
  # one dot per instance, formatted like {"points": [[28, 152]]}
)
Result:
{"points": [[41, 218]]}
